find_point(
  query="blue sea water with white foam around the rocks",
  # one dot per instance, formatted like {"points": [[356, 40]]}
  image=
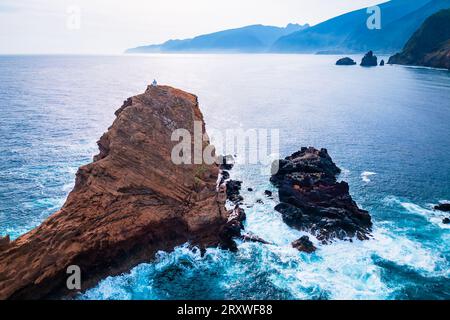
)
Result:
{"points": [[387, 127]]}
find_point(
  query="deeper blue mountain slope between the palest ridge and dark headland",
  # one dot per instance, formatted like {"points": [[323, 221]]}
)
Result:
{"points": [[349, 32]]}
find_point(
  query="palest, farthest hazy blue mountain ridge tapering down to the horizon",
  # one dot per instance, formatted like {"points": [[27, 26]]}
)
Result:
{"points": [[255, 38]]}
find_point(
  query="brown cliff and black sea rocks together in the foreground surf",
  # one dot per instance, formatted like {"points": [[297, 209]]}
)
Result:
{"points": [[133, 201]]}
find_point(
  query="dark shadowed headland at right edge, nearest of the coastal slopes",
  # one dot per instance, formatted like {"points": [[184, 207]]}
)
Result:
{"points": [[430, 45]]}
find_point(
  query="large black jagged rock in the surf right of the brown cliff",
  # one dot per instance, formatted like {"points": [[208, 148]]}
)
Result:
{"points": [[312, 200]]}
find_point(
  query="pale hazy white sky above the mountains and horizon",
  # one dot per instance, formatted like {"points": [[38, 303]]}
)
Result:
{"points": [[111, 26]]}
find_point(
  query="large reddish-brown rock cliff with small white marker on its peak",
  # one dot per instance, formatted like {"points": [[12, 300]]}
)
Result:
{"points": [[129, 203]]}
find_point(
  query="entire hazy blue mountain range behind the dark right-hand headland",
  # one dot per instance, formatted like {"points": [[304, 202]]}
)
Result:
{"points": [[345, 33]]}
